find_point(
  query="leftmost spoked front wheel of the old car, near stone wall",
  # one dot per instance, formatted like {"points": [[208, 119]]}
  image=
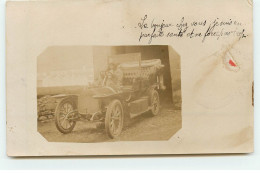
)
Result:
{"points": [[62, 113]]}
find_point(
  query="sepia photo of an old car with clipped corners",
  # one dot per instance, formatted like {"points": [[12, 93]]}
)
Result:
{"points": [[108, 93]]}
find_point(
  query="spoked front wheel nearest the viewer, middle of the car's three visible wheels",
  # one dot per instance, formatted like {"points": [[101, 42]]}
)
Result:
{"points": [[114, 115]]}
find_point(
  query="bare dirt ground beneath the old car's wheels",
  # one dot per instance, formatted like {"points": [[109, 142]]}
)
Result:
{"points": [[141, 128]]}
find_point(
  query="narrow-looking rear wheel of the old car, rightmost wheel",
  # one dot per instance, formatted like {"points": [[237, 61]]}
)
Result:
{"points": [[155, 102]]}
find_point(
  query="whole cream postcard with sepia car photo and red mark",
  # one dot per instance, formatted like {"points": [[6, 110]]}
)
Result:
{"points": [[113, 77]]}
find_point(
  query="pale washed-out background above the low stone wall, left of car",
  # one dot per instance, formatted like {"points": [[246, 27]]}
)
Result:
{"points": [[65, 66]]}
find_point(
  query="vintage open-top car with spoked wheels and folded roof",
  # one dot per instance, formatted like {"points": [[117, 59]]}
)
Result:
{"points": [[110, 106]]}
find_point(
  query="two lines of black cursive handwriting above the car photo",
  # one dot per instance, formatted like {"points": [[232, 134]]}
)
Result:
{"points": [[153, 28]]}
